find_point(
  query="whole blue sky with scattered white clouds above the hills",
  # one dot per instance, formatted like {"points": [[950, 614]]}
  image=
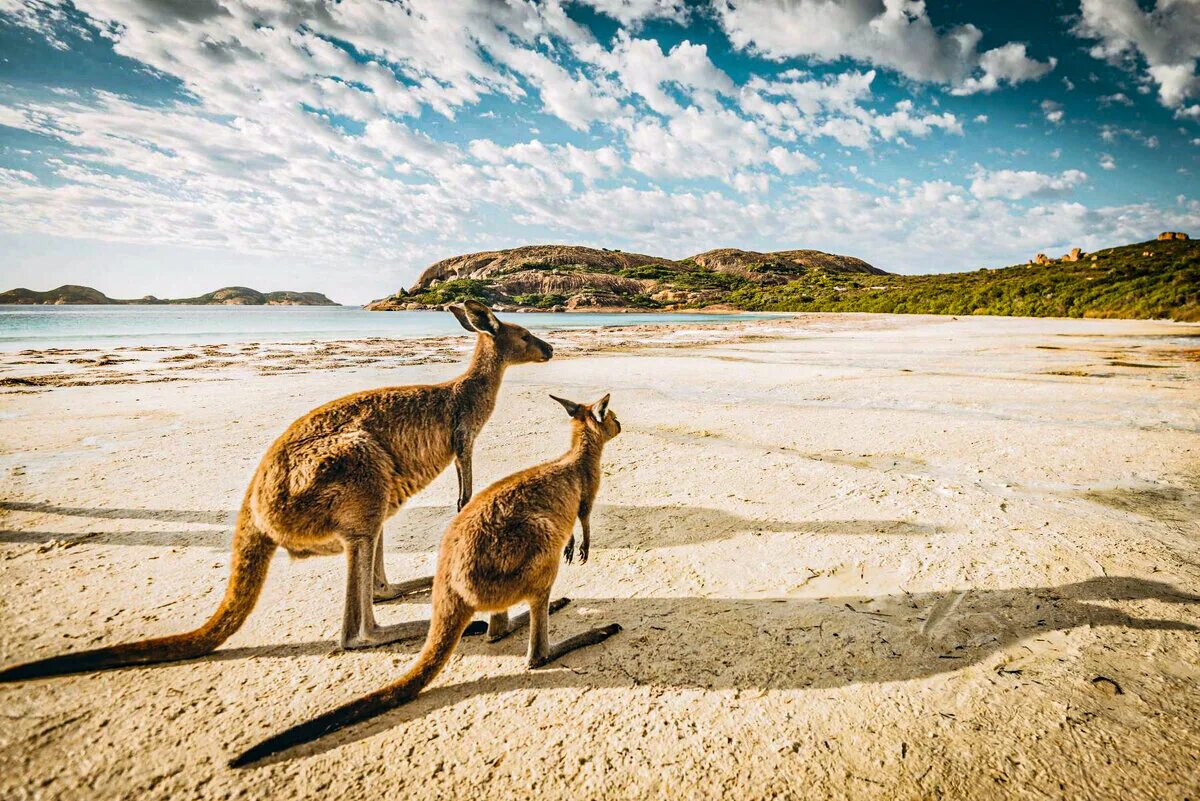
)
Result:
{"points": [[161, 147]]}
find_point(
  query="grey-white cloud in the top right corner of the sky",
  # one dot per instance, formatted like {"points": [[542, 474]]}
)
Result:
{"points": [[1167, 38]]}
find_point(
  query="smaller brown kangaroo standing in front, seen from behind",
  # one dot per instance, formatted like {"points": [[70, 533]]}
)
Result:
{"points": [[501, 550]]}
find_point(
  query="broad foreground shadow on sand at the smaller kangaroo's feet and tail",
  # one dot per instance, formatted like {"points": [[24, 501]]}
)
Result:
{"points": [[789, 643]]}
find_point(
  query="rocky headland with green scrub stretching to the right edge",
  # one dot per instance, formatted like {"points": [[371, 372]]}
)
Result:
{"points": [[1155, 280]]}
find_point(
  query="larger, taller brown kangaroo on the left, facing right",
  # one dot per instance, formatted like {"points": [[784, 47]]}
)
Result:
{"points": [[328, 485]]}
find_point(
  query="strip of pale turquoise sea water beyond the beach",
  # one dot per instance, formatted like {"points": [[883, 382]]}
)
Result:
{"points": [[107, 327]]}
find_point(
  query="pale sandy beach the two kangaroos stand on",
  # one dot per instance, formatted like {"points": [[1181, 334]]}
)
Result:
{"points": [[855, 557]]}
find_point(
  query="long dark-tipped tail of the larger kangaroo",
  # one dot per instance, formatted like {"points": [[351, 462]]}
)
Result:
{"points": [[253, 553]]}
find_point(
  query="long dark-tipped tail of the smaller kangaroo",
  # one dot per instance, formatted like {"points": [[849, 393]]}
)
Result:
{"points": [[451, 618]]}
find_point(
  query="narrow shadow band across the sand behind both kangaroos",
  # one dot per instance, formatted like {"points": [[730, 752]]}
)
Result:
{"points": [[419, 529]]}
